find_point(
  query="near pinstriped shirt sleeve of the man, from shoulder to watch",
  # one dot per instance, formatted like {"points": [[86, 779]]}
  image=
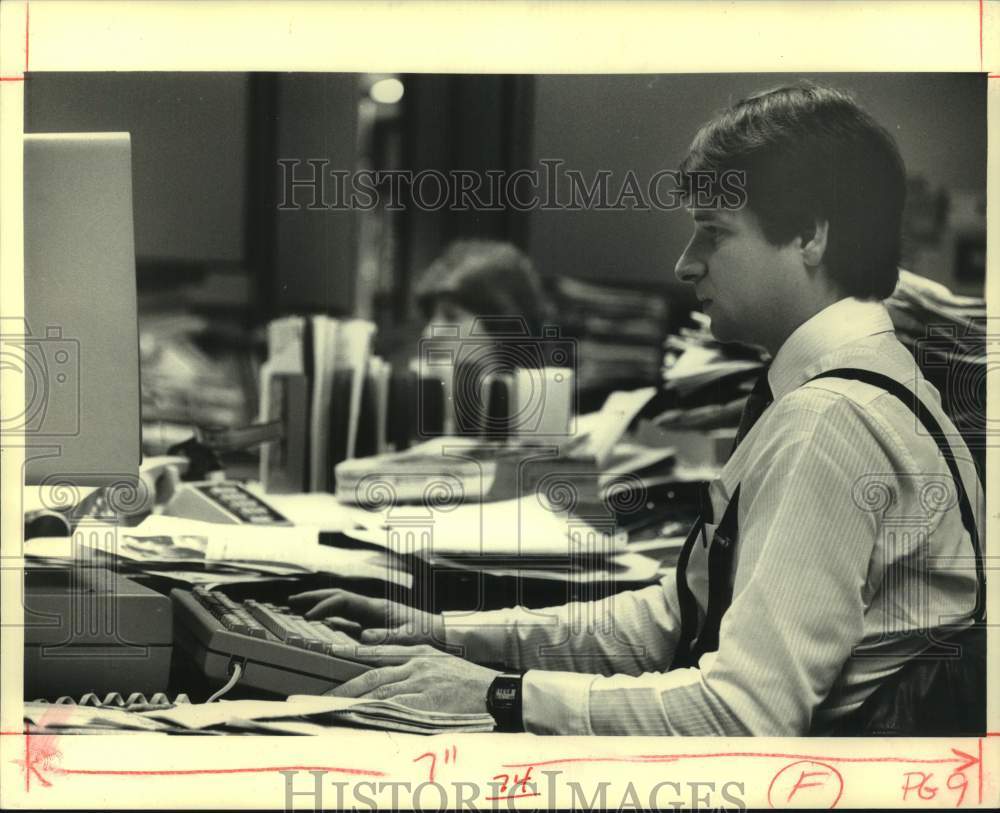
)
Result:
{"points": [[799, 600]]}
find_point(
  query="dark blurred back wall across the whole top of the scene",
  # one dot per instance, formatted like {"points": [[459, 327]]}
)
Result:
{"points": [[205, 148]]}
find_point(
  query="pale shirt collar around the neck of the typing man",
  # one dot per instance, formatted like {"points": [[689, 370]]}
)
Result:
{"points": [[802, 355]]}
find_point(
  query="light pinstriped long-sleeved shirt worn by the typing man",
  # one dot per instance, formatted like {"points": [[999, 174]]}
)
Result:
{"points": [[851, 551]]}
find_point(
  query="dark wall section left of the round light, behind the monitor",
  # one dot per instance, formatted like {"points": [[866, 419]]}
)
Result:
{"points": [[206, 180]]}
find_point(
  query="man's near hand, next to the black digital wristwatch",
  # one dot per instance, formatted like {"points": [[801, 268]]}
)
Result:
{"points": [[433, 680]]}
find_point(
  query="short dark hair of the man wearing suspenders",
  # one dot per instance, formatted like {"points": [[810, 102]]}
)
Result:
{"points": [[812, 153]]}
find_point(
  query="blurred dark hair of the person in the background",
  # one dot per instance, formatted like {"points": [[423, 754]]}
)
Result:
{"points": [[488, 278]]}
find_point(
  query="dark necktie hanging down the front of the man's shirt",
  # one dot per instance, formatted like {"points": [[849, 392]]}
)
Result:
{"points": [[720, 557]]}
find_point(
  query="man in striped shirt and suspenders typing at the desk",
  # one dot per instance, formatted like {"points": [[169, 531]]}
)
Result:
{"points": [[788, 621]]}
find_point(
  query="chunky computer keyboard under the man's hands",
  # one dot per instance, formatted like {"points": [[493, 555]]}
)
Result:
{"points": [[279, 651]]}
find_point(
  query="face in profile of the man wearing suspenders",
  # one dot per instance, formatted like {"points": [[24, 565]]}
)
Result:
{"points": [[739, 277]]}
